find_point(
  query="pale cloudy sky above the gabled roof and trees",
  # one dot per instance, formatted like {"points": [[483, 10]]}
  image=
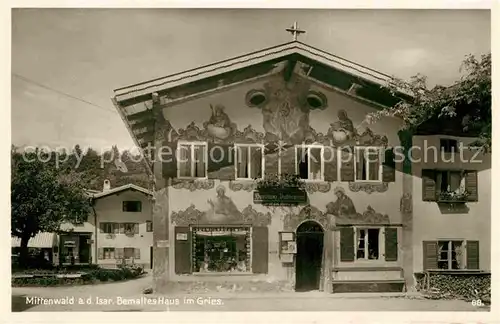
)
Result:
{"points": [[67, 62]]}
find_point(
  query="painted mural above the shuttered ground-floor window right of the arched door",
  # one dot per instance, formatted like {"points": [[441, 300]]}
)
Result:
{"points": [[345, 212]]}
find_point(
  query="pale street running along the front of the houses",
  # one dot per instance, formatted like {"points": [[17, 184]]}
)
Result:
{"points": [[126, 296]]}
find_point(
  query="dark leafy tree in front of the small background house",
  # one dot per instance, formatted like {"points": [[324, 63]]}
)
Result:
{"points": [[43, 197]]}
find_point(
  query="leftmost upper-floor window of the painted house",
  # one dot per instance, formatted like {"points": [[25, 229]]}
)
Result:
{"points": [[191, 160]]}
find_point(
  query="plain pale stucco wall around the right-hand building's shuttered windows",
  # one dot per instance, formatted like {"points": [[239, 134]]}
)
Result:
{"points": [[429, 223]]}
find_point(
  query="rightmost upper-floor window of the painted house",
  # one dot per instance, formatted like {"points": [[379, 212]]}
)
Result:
{"points": [[368, 166]]}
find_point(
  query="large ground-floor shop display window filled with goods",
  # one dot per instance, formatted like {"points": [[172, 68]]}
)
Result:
{"points": [[221, 249]]}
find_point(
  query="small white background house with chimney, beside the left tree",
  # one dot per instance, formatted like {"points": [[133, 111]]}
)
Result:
{"points": [[123, 232]]}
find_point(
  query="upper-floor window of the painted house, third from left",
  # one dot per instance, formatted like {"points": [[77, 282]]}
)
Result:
{"points": [[309, 162]]}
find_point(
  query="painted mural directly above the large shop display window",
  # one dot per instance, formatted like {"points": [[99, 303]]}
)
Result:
{"points": [[222, 210]]}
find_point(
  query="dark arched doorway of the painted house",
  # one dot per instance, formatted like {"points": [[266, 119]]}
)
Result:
{"points": [[309, 256]]}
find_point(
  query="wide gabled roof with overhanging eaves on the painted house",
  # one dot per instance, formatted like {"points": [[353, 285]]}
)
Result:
{"points": [[135, 102]]}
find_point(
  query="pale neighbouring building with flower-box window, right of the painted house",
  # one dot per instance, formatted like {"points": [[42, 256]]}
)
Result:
{"points": [[451, 202]]}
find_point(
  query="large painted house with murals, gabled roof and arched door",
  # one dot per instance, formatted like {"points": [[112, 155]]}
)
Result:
{"points": [[222, 134]]}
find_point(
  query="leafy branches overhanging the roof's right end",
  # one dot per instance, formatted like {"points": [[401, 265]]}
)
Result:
{"points": [[467, 102]]}
